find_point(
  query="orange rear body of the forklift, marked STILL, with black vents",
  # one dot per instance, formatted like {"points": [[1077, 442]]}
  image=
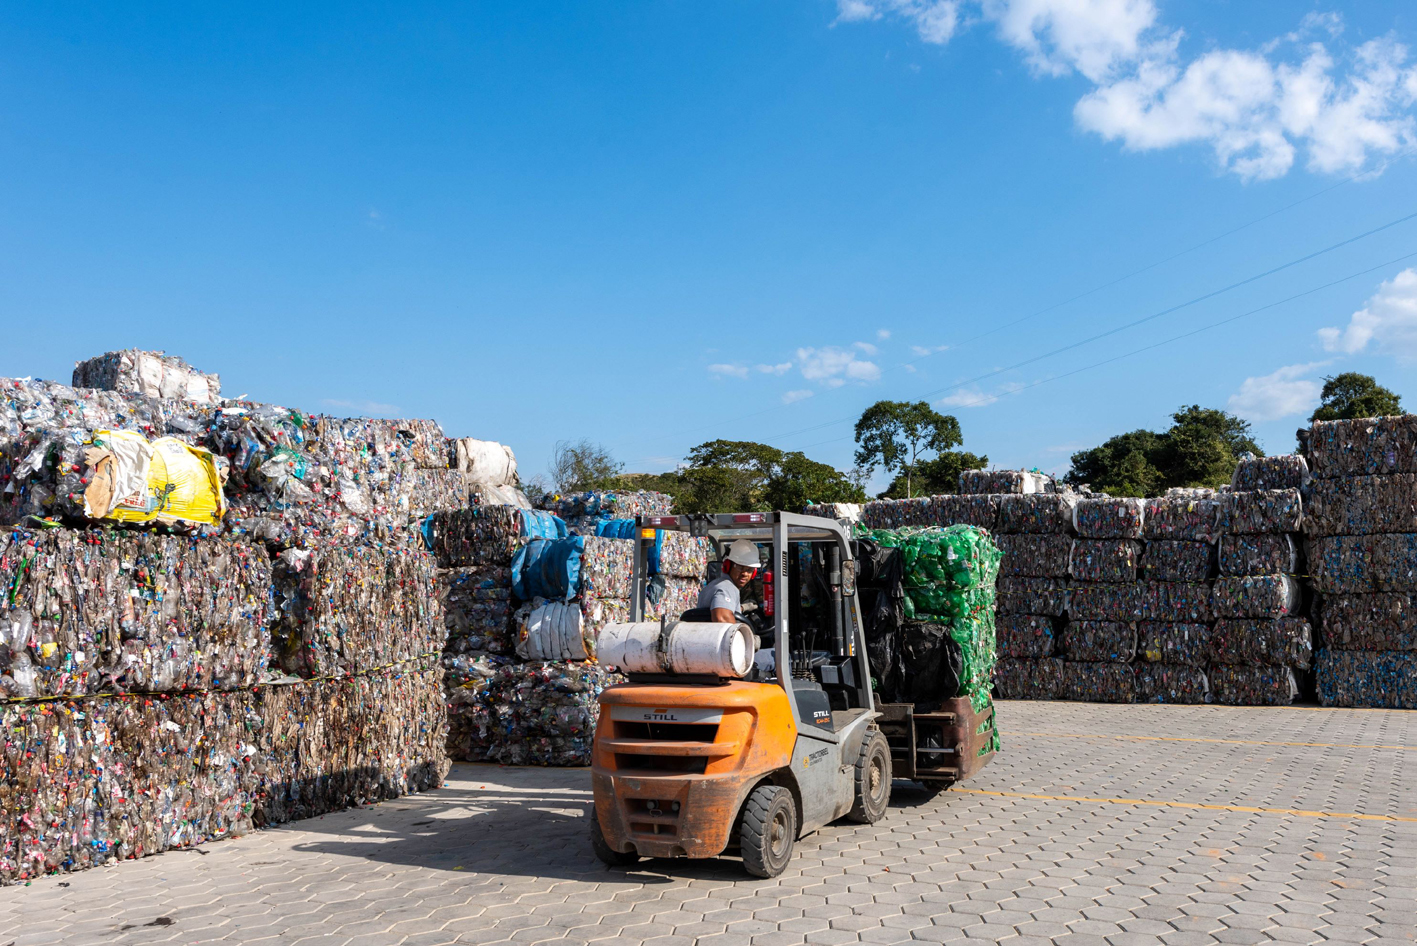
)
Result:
{"points": [[684, 761]]}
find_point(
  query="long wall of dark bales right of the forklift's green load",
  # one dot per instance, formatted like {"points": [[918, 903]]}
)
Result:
{"points": [[1182, 598]]}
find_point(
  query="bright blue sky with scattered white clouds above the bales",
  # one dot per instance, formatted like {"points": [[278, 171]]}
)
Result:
{"points": [[654, 224]]}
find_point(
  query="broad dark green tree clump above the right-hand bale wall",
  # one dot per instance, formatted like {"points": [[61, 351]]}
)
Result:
{"points": [[1201, 450]]}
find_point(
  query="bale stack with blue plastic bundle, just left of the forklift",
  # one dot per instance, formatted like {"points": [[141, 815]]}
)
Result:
{"points": [[526, 604]]}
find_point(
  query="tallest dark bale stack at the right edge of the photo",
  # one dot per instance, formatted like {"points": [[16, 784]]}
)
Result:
{"points": [[1361, 526]]}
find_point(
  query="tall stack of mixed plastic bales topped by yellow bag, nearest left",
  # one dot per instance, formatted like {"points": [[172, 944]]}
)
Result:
{"points": [[191, 679]]}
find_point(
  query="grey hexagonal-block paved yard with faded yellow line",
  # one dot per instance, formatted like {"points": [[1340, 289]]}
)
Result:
{"points": [[1097, 825]]}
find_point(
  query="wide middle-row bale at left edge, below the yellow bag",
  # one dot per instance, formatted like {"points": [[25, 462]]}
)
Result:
{"points": [[90, 611]]}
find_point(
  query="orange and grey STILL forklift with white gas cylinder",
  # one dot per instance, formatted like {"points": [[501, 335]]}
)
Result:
{"points": [[694, 767]]}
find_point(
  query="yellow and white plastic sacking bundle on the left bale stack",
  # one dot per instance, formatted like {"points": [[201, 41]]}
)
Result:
{"points": [[182, 485]]}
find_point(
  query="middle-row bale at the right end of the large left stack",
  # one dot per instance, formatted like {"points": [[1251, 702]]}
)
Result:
{"points": [[355, 608]]}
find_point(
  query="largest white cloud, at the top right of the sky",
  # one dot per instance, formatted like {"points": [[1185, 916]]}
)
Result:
{"points": [[1344, 107]]}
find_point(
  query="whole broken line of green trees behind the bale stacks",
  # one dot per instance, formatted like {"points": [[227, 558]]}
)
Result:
{"points": [[920, 448]]}
